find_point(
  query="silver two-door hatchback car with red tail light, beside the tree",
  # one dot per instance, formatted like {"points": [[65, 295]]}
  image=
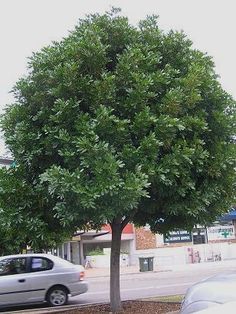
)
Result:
{"points": [[35, 278]]}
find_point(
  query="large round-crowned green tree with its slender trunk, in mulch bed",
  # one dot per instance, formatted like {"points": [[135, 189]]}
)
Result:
{"points": [[118, 124]]}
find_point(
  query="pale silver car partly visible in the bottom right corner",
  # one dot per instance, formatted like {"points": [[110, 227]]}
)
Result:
{"points": [[210, 292]]}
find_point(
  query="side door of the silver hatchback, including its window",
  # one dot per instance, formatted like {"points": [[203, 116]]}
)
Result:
{"points": [[14, 286]]}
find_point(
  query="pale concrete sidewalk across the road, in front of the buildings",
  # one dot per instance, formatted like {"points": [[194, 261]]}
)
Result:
{"points": [[221, 265]]}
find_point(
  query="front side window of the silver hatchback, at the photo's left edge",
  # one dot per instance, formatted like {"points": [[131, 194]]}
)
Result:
{"points": [[12, 266]]}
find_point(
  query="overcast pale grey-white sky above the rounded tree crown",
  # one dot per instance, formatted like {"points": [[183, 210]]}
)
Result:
{"points": [[28, 25]]}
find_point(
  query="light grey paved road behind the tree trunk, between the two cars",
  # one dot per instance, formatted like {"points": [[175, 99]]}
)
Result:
{"points": [[148, 284]]}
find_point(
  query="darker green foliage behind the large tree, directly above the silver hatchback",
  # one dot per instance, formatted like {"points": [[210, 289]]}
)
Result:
{"points": [[25, 220]]}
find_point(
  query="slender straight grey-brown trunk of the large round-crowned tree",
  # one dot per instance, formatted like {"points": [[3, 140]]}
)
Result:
{"points": [[115, 266]]}
